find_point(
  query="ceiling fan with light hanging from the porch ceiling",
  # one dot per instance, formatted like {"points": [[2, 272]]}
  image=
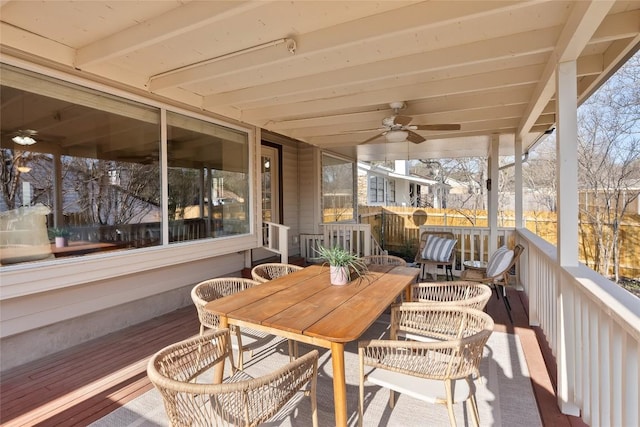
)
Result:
{"points": [[397, 128]]}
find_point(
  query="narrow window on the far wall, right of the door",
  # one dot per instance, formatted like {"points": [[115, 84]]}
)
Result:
{"points": [[338, 194]]}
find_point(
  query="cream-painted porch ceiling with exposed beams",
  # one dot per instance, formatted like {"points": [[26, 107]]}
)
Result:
{"points": [[325, 72]]}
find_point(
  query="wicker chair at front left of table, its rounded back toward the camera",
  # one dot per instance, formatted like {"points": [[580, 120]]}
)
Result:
{"points": [[182, 373]]}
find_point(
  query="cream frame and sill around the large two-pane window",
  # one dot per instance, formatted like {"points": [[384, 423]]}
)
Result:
{"points": [[40, 276]]}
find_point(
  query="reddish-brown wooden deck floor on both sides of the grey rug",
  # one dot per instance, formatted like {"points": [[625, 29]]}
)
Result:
{"points": [[84, 383]]}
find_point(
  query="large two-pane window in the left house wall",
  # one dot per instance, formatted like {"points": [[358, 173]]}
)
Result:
{"points": [[85, 166]]}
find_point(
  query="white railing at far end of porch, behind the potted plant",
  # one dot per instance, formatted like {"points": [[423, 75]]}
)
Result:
{"points": [[356, 238]]}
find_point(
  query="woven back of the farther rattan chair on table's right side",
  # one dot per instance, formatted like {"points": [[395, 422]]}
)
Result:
{"points": [[461, 293]]}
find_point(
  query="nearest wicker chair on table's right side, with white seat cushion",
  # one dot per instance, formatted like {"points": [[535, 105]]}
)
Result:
{"points": [[435, 372]]}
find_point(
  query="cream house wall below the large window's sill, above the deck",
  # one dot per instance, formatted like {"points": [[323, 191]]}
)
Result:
{"points": [[39, 324]]}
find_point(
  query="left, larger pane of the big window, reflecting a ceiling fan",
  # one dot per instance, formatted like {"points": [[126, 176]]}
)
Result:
{"points": [[93, 169]]}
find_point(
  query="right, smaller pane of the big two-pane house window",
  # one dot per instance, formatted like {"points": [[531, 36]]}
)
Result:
{"points": [[208, 172]]}
